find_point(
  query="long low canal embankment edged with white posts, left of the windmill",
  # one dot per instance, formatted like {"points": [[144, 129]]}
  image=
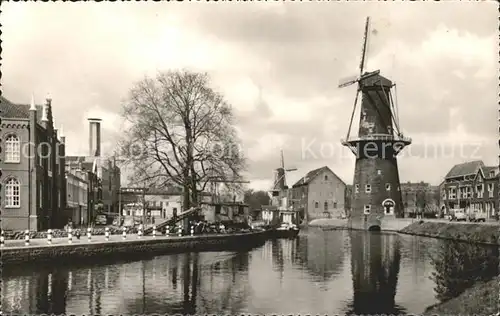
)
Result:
{"points": [[60, 249]]}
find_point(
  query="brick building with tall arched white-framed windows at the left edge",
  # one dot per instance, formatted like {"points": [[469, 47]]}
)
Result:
{"points": [[32, 163]]}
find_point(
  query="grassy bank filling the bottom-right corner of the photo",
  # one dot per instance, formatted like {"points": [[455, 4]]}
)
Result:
{"points": [[481, 299]]}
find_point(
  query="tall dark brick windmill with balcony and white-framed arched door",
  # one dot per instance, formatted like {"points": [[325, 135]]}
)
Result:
{"points": [[376, 192]]}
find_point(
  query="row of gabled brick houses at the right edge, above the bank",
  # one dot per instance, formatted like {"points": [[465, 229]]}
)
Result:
{"points": [[471, 186]]}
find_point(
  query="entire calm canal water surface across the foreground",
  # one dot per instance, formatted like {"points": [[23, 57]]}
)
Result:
{"points": [[321, 272]]}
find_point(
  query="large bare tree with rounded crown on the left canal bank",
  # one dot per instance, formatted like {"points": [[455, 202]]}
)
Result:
{"points": [[181, 134]]}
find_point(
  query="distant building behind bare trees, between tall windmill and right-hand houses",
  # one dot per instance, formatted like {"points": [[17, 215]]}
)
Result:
{"points": [[418, 197]]}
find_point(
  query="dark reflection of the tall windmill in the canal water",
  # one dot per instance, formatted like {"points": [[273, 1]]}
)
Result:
{"points": [[375, 263]]}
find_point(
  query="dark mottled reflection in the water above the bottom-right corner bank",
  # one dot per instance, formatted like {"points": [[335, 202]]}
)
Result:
{"points": [[459, 265]]}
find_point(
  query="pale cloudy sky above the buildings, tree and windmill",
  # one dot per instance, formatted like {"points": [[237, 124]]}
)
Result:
{"points": [[278, 64]]}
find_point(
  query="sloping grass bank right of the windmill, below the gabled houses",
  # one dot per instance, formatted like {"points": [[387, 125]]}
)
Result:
{"points": [[474, 233]]}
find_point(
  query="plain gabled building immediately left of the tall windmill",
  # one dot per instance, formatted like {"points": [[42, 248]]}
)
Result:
{"points": [[319, 194]]}
